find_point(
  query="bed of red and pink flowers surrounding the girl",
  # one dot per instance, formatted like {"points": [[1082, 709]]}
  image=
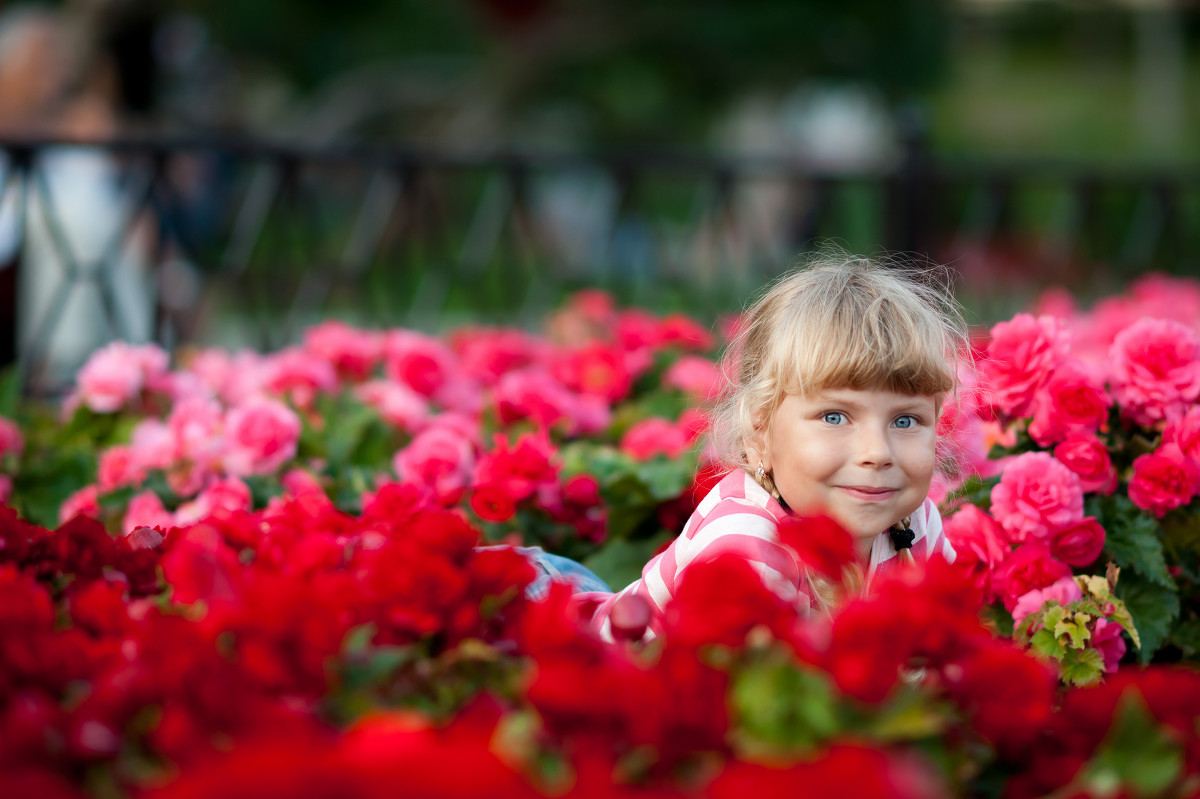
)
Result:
{"points": [[262, 573]]}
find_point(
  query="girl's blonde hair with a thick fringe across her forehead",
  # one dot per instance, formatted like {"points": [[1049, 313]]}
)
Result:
{"points": [[838, 322]]}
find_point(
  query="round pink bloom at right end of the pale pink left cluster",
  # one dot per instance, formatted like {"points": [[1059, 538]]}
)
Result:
{"points": [[261, 436]]}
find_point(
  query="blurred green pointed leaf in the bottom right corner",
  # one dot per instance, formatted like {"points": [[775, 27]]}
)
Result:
{"points": [[1137, 753]]}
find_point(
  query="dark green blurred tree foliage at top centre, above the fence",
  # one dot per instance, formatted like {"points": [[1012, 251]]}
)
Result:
{"points": [[616, 70]]}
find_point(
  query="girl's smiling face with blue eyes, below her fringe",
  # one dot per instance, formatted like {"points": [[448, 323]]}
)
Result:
{"points": [[863, 458]]}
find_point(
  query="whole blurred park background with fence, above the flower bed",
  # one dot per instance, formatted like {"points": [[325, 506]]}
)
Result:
{"points": [[267, 165]]}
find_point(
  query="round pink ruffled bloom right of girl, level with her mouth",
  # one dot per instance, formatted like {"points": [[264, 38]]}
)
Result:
{"points": [[1036, 496]]}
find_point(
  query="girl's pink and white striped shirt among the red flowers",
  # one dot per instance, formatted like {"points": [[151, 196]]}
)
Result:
{"points": [[740, 516]]}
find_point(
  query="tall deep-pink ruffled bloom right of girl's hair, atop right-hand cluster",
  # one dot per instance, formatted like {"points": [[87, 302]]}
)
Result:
{"points": [[1022, 357]]}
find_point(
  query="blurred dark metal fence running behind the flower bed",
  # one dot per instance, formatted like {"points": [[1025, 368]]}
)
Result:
{"points": [[247, 243]]}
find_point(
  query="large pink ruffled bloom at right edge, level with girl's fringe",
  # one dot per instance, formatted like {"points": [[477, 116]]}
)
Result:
{"points": [[1156, 370]]}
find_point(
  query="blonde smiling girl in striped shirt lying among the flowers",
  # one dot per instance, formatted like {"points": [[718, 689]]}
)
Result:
{"points": [[837, 382]]}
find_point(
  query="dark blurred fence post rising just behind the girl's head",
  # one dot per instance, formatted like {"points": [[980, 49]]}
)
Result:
{"points": [[911, 205]]}
